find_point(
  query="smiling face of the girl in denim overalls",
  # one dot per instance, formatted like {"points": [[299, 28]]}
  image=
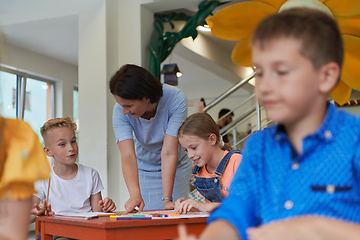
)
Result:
{"points": [[200, 151]]}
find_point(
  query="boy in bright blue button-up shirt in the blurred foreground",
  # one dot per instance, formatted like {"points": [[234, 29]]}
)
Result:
{"points": [[300, 178]]}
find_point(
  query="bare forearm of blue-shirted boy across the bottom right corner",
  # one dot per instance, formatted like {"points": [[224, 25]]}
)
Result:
{"points": [[307, 227]]}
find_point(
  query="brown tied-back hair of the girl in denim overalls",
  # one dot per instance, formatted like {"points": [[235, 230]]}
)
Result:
{"points": [[202, 125]]}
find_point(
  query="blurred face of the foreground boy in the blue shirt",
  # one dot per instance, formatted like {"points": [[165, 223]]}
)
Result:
{"points": [[286, 83]]}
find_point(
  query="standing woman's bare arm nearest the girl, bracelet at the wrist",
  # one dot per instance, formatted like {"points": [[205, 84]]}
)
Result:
{"points": [[169, 158]]}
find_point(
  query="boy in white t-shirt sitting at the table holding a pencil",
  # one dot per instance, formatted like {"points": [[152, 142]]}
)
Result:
{"points": [[74, 188]]}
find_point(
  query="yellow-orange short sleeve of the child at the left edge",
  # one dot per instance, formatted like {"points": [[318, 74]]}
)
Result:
{"points": [[22, 160]]}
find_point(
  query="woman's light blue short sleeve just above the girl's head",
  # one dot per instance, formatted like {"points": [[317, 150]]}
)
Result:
{"points": [[178, 113]]}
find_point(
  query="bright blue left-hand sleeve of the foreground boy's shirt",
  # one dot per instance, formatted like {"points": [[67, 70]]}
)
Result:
{"points": [[239, 208]]}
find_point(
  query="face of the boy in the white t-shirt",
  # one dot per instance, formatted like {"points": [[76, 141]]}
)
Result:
{"points": [[62, 145]]}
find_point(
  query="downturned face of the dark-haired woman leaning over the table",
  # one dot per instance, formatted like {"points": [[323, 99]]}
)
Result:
{"points": [[135, 107]]}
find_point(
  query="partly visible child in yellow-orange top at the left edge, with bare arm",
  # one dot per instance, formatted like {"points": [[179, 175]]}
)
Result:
{"points": [[22, 163]]}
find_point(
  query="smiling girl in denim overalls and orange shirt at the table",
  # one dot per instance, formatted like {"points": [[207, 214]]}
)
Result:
{"points": [[215, 161]]}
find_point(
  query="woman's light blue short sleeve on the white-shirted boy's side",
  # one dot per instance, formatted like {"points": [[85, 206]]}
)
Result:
{"points": [[122, 127]]}
